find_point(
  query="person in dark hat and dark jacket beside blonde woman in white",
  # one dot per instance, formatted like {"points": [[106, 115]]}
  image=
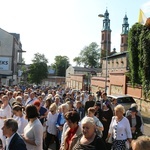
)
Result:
{"points": [[135, 123]]}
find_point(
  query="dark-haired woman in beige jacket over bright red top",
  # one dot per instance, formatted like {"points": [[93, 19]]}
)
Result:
{"points": [[72, 132]]}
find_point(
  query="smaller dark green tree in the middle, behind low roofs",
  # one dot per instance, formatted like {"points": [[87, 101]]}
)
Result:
{"points": [[60, 65]]}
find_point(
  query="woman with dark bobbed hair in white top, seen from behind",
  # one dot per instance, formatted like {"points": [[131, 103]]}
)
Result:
{"points": [[33, 132]]}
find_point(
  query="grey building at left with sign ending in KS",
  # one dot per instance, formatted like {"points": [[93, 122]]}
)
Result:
{"points": [[10, 58]]}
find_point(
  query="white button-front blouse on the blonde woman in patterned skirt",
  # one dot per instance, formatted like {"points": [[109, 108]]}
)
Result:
{"points": [[120, 130]]}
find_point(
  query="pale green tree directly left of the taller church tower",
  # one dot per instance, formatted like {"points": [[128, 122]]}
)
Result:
{"points": [[89, 56]]}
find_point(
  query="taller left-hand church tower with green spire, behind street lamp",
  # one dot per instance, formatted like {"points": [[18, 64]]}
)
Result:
{"points": [[106, 35]]}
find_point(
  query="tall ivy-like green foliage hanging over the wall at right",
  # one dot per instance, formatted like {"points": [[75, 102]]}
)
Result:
{"points": [[139, 52]]}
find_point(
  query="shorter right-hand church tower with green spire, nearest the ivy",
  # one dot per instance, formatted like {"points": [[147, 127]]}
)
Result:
{"points": [[124, 35]]}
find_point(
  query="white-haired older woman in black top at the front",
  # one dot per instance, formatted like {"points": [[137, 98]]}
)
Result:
{"points": [[89, 140]]}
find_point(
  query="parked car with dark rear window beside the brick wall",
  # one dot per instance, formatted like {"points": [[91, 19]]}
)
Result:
{"points": [[124, 100]]}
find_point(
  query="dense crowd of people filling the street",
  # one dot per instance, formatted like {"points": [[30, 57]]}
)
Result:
{"points": [[33, 119]]}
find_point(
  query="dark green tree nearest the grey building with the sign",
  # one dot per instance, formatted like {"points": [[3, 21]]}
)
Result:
{"points": [[38, 70]]}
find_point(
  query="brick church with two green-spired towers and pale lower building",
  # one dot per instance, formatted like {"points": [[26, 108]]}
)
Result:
{"points": [[114, 61]]}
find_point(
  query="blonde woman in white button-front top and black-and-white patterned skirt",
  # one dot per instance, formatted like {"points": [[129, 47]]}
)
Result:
{"points": [[119, 129]]}
